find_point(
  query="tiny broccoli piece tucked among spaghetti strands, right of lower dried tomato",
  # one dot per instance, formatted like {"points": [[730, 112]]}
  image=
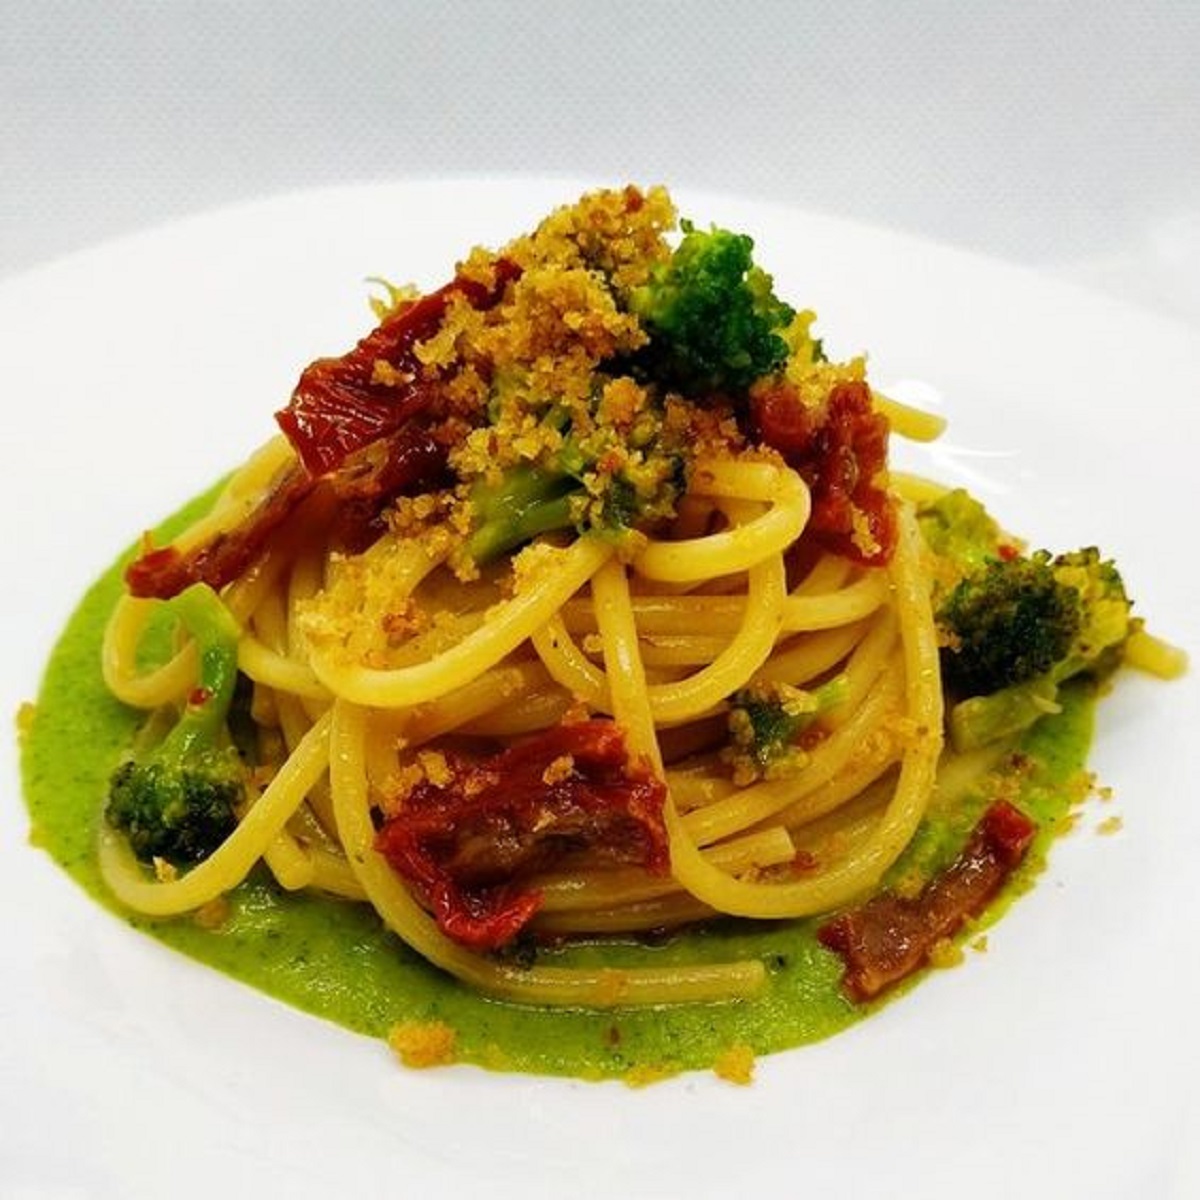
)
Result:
{"points": [[766, 722]]}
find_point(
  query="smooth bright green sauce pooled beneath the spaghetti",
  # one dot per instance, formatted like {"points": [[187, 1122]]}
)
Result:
{"points": [[334, 959]]}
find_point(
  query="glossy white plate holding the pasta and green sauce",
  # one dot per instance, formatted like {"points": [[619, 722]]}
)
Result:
{"points": [[1061, 1064]]}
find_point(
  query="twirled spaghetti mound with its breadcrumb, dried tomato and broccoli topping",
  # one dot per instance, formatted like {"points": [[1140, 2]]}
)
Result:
{"points": [[575, 601]]}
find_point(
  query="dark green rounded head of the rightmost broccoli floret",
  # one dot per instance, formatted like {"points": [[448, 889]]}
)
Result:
{"points": [[1006, 623]]}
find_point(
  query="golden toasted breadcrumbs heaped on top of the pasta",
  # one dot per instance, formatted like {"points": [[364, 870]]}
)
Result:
{"points": [[545, 399]]}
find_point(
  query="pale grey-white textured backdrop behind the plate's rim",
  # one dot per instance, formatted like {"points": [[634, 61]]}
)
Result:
{"points": [[1053, 134]]}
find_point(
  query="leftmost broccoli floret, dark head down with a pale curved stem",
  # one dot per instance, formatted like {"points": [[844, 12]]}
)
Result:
{"points": [[179, 801]]}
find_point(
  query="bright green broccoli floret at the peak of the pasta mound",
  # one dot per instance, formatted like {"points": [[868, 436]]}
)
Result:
{"points": [[712, 316]]}
